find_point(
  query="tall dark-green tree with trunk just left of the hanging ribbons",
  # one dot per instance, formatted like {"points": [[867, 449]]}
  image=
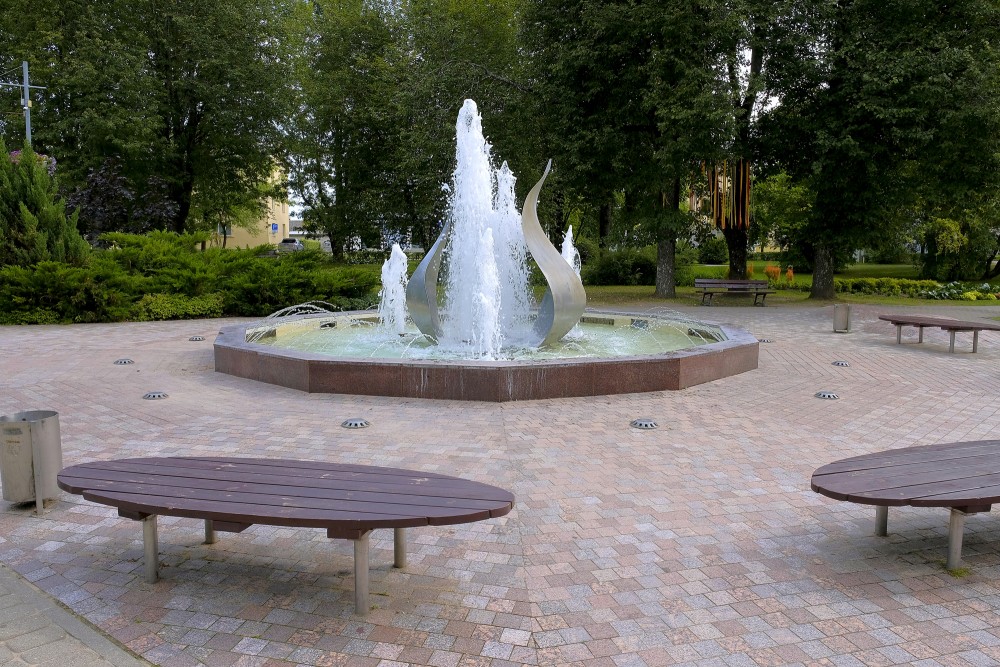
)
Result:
{"points": [[631, 95]]}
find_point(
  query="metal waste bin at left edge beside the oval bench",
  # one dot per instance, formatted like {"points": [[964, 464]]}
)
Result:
{"points": [[30, 456]]}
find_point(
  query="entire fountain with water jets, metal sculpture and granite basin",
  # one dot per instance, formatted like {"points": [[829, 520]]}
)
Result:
{"points": [[483, 340]]}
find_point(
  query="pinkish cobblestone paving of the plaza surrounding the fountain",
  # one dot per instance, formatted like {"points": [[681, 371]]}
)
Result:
{"points": [[697, 543]]}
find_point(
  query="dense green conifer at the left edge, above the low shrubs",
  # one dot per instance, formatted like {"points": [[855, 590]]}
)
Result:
{"points": [[34, 226]]}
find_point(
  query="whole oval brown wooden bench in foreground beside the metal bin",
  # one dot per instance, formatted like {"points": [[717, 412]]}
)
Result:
{"points": [[232, 494]]}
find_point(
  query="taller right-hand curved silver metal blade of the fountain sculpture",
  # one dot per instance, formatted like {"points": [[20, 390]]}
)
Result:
{"points": [[565, 298]]}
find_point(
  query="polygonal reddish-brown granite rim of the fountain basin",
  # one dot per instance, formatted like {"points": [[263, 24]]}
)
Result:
{"points": [[494, 381]]}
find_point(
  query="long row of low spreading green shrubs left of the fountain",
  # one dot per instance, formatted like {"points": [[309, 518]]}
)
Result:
{"points": [[163, 276]]}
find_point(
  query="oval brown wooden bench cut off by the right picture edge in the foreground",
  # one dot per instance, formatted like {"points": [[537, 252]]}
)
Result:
{"points": [[963, 476]]}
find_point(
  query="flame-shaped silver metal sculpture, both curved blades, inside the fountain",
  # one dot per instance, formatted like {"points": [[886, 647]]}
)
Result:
{"points": [[562, 305]]}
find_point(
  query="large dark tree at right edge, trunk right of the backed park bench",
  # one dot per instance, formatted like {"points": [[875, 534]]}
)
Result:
{"points": [[880, 95]]}
